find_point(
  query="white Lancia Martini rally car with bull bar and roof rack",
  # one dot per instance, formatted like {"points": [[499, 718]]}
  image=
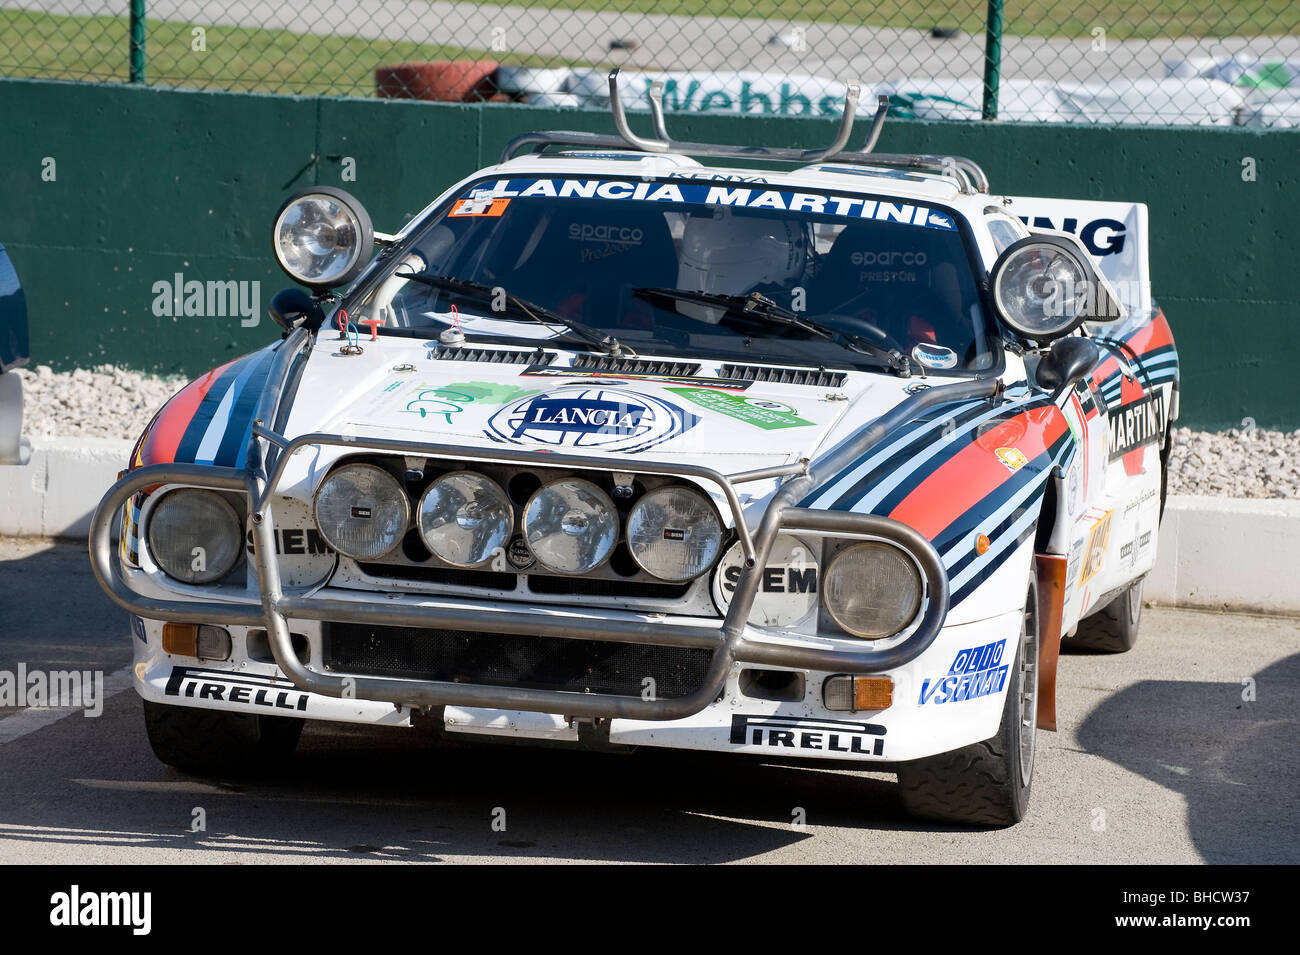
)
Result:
{"points": [[613, 448]]}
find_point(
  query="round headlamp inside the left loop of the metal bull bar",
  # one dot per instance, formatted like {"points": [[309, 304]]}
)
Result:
{"points": [[196, 536]]}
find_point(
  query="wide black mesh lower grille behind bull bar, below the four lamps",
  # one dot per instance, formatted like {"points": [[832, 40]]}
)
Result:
{"points": [[493, 659]]}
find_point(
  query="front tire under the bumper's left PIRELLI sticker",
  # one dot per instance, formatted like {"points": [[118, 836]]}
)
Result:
{"points": [[211, 743]]}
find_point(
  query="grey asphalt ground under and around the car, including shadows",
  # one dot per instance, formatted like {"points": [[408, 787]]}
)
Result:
{"points": [[1165, 756]]}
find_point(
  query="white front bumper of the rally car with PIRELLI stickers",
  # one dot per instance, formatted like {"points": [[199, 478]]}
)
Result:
{"points": [[917, 726]]}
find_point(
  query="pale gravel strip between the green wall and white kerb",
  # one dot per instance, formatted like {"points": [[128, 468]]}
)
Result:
{"points": [[109, 402]]}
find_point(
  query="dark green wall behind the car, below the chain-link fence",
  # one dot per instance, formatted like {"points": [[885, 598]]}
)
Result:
{"points": [[150, 183]]}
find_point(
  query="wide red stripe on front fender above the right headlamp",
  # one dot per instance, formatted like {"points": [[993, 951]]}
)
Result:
{"points": [[976, 472]]}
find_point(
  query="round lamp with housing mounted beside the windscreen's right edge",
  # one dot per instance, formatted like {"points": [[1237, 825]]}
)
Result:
{"points": [[1046, 286]]}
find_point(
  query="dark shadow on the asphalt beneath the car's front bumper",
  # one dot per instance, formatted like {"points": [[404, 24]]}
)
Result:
{"points": [[402, 796]]}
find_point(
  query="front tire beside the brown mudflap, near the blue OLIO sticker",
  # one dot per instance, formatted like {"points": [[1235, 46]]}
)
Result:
{"points": [[987, 783]]}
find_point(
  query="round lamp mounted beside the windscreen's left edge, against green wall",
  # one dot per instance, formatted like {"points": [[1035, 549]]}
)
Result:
{"points": [[323, 237]]}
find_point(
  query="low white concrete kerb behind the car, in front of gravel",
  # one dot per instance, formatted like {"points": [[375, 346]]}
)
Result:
{"points": [[1215, 553]]}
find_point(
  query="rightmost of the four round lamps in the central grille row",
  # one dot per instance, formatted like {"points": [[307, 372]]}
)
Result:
{"points": [[674, 533]]}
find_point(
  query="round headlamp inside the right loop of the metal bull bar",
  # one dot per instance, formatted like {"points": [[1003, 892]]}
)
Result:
{"points": [[872, 591]]}
